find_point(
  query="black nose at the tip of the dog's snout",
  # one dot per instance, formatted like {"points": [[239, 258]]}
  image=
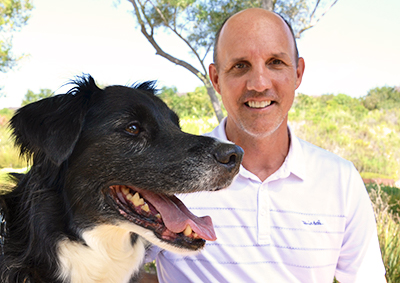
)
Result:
{"points": [[229, 155]]}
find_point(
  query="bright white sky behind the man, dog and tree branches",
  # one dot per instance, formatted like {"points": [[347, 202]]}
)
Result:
{"points": [[354, 48]]}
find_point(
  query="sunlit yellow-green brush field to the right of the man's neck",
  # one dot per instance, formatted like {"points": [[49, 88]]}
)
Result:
{"points": [[343, 125]]}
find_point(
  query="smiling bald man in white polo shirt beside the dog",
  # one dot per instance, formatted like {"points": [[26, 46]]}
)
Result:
{"points": [[295, 213]]}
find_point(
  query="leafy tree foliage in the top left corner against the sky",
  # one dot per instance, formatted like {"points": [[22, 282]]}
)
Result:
{"points": [[14, 14]]}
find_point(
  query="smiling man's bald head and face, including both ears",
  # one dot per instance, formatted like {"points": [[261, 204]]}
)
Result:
{"points": [[256, 72]]}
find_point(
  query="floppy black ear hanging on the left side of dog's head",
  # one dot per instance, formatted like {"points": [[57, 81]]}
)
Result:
{"points": [[52, 125]]}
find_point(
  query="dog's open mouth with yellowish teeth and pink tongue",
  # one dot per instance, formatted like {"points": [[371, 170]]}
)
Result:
{"points": [[165, 215]]}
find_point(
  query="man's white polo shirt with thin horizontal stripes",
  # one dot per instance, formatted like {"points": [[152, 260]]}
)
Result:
{"points": [[308, 222]]}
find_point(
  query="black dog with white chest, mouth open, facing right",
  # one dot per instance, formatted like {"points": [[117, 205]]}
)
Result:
{"points": [[105, 167]]}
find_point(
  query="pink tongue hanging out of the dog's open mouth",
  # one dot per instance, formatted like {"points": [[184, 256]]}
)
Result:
{"points": [[176, 216]]}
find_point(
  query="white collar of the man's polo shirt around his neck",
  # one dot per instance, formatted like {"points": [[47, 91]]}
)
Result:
{"points": [[293, 163]]}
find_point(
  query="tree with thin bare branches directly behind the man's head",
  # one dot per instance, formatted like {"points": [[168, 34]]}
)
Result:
{"points": [[195, 23]]}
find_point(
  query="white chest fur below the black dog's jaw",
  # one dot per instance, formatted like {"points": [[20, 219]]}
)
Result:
{"points": [[108, 257]]}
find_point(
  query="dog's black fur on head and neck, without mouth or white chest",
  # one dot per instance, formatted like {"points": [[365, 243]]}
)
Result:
{"points": [[80, 144]]}
